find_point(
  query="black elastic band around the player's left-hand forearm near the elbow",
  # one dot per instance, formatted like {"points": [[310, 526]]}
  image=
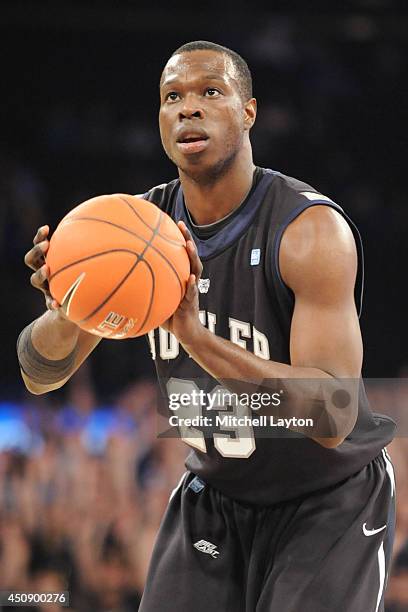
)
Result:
{"points": [[37, 367]]}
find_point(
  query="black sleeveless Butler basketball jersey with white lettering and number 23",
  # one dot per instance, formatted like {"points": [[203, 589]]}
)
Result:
{"points": [[244, 299]]}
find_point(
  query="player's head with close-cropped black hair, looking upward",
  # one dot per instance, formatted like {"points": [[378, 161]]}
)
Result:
{"points": [[206, 109]]}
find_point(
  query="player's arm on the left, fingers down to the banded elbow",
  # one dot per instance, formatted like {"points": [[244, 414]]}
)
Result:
{"points": [[53, 337]]}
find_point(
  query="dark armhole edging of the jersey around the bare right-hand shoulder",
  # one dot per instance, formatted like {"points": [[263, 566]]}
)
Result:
{"points": [[359, 285]]}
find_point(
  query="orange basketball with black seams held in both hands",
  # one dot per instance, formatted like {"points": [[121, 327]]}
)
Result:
{"points": [[118, 266]]}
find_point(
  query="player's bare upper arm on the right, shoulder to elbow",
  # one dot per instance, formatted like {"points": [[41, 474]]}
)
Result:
{"points": [[318, 261]]}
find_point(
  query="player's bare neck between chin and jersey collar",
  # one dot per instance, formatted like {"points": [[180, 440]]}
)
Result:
{"points": [[210, 201]]}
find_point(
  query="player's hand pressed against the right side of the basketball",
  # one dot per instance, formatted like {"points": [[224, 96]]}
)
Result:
{"points": [[185, 323]]}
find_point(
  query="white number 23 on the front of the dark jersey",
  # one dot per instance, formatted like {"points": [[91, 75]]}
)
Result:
{"points": [[241, 446]]}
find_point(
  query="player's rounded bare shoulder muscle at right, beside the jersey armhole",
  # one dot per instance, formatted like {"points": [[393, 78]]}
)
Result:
{"points": [[317, 248]]}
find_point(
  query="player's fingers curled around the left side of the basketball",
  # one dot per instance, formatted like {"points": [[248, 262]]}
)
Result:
{"points": [[35, 259]]}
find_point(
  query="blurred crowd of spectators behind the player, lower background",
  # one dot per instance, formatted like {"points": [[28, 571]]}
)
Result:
{"points": [[83, 489]]}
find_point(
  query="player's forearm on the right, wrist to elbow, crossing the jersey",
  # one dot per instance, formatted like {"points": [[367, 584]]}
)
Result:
{"points": [[309, 393]]}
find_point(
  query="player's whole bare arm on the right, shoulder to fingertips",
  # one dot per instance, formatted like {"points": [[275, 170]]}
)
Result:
{"points": [[318, 262]]}
